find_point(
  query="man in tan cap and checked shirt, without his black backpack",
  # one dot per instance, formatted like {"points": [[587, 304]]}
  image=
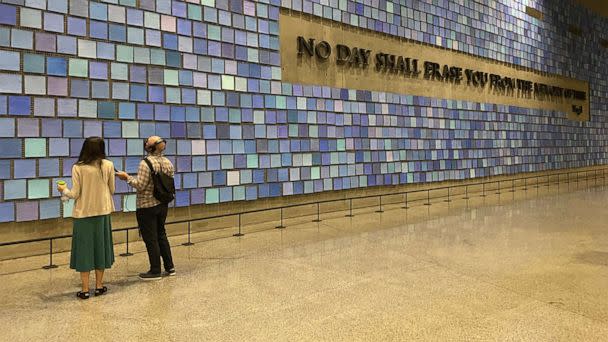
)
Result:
{"points": [[151, 213]]}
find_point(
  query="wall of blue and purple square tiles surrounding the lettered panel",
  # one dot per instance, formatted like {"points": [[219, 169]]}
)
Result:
{"points": [[206, 75]]}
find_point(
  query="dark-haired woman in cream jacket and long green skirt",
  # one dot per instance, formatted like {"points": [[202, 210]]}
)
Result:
{"points": [[92, 189]]}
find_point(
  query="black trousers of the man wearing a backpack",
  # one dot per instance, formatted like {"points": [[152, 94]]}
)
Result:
{"points": [[151, 222]]}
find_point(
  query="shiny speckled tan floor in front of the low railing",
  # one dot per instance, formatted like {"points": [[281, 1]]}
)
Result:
{"points": [[521, 266]]}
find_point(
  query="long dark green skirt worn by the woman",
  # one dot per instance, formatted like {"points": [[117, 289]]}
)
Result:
{"points": [[92, 247]]}
